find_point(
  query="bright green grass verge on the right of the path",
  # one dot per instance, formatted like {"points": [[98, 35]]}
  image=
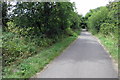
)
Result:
{"points": [[110, 44]]}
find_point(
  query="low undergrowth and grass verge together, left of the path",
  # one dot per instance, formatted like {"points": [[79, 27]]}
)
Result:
{"points": [[23, 56]]}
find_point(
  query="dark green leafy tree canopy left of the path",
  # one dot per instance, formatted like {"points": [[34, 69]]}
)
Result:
{"points": [[41, 21]]}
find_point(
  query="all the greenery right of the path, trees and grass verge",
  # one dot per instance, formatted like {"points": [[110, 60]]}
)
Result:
{"points": [[104, 22]]}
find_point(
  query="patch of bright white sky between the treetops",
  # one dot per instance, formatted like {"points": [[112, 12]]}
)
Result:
{"points": [[83, 6]]}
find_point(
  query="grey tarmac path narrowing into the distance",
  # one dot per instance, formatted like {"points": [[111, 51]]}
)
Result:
{"points": [[84, 58]]}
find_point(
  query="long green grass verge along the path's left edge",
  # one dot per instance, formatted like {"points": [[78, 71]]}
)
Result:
{"points": [[34, 64]]}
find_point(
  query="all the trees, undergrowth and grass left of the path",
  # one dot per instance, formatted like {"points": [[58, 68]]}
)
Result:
{"points": [[32, 27]]}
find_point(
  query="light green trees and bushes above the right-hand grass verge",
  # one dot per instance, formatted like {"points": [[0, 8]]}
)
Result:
{"points": [[104, 20]]}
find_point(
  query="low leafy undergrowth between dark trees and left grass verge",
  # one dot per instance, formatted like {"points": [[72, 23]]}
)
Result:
{"points": [[16, 47]]}
